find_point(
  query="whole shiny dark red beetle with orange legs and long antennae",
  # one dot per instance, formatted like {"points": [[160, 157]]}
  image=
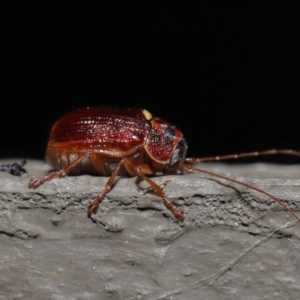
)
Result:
{"points": [[113, 141]]}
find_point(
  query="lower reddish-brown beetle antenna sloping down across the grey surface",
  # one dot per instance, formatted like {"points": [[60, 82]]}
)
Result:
{"points": [[189, 167]]}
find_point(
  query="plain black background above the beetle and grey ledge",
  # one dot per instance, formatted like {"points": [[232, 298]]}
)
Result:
{"points": [[226, 75]]}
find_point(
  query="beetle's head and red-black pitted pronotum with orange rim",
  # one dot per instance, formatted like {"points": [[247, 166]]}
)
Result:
{"points": [[166, 145]]}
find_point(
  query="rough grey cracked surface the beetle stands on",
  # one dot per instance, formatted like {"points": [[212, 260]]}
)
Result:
{"points": [[234, 243]]}
